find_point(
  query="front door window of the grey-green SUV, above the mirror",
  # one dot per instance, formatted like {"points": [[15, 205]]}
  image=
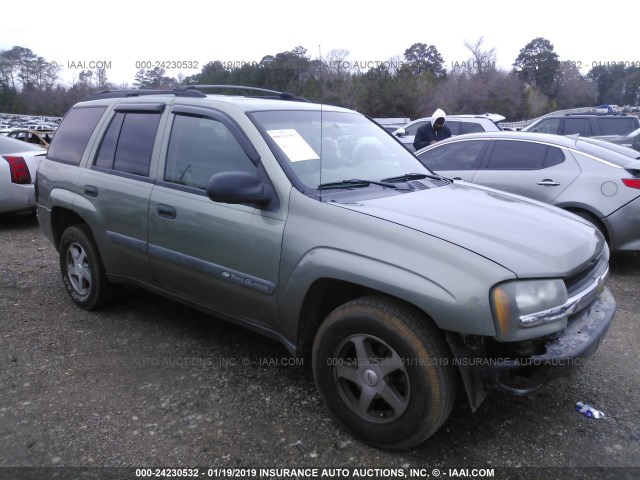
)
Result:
{"points": [[201, 147]]}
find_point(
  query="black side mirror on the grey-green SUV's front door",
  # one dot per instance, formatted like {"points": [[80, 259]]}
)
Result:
{"points": [[238, 187]]}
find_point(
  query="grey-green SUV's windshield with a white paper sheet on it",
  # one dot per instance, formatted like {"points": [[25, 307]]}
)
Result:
{"points": [[320, 148]]}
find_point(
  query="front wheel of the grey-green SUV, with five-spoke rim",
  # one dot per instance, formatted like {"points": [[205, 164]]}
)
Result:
{"points": [[384, 370]]}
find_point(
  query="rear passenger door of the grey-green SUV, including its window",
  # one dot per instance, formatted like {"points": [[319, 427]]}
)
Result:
{"points": [[118, 185]]}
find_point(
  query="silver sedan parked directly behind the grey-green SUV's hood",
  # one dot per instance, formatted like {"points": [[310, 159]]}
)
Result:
{"points": [[596, 180]]}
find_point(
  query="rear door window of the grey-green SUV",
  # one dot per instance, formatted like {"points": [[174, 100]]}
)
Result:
{"points": [[127, 144]]}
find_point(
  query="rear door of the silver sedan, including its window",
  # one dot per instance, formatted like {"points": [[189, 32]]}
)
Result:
{"points": [[532, 169]]}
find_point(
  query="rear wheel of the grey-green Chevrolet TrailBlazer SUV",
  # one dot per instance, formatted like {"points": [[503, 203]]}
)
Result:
{"points": [[82, 270]]}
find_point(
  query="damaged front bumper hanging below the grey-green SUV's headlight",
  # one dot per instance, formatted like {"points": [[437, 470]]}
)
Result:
{"points": [[557, 356]]}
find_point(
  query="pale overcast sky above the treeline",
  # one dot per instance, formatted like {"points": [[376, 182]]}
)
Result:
{"points": [[122, 34]]}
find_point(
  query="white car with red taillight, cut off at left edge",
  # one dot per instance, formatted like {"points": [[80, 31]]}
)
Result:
{"points": [[19, 163]]}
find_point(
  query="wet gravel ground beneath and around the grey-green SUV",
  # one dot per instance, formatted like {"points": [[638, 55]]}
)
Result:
{"points": [[150, 383]]}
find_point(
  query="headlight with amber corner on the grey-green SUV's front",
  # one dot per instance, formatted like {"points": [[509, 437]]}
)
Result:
{"points": [[522, 304]]}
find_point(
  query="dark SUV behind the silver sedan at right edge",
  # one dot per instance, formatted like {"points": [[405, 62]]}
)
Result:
{"points": [[586, 124]]}
